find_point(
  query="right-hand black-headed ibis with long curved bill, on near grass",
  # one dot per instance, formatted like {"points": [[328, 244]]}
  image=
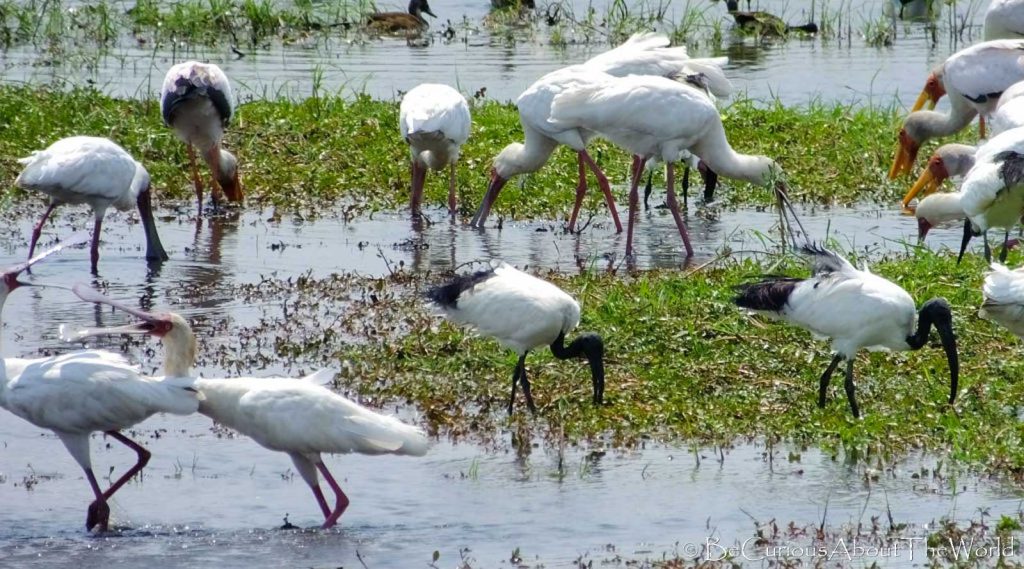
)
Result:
{"points": [[856, 310]]}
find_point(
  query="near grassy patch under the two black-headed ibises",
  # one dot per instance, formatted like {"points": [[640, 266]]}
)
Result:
{"points": [[685, 366]]}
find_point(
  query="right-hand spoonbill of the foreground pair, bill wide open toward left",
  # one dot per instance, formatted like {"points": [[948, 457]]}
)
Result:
{"points": [[297, 417]]}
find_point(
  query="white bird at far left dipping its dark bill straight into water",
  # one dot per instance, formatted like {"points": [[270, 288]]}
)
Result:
{"points": [[94, 171]]}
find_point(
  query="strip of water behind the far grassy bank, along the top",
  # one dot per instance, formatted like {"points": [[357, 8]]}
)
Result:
{"points": [[847, 70]]}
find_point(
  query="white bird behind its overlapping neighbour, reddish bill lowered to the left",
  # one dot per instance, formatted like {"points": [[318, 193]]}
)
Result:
{"points": [[642, 55]]}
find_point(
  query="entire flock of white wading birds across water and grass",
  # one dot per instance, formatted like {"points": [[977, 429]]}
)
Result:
{"points": [[650, 99]]}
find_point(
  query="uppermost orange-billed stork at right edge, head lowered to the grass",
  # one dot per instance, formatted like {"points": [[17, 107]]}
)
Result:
{"points": [[975, 78]]}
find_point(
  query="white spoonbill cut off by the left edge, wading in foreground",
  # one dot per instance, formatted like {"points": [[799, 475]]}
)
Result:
{"points": [[82, 392]]}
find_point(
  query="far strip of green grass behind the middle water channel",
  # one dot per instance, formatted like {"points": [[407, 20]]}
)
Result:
{"points": [[325, 150]]}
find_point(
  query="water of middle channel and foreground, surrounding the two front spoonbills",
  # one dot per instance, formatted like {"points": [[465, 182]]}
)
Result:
{"points": [[209, 501]]}
